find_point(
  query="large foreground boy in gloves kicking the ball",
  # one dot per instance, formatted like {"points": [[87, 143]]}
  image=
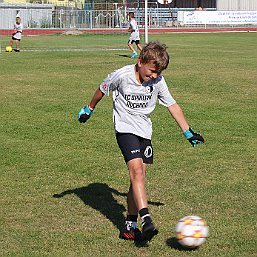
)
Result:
{"points": [[136, 89]]}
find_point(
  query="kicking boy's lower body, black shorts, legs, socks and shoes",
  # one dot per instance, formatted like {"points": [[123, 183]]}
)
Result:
{"points": [[136, 198]]}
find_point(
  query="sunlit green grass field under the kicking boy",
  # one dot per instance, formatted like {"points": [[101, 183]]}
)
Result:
{"points": [[63, 184]]}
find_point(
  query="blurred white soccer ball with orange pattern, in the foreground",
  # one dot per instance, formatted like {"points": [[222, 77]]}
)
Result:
{"points": [[191, 231]]}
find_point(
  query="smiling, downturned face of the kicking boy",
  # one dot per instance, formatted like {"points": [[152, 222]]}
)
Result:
{"points": [[147, 71]]}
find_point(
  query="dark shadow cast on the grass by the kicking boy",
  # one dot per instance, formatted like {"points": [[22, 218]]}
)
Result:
{"points": [[99, 196]]}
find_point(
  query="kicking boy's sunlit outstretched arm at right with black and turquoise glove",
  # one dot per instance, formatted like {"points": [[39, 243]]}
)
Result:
{"points": [[179, 117]]}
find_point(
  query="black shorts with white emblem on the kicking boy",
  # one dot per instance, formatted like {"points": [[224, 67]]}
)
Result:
{"points": [[133, 146]]}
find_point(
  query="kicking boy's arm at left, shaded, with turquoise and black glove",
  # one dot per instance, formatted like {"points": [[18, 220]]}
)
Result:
{"points": [[86, 112]]}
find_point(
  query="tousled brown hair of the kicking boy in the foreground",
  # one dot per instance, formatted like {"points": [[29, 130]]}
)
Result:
{"points": [[156, 52]]}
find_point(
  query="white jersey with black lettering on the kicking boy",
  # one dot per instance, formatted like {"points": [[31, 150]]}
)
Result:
{"points": [[134, 102]]}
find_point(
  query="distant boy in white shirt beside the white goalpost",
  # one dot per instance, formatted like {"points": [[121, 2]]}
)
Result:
{"points": [[134, 35]]}
